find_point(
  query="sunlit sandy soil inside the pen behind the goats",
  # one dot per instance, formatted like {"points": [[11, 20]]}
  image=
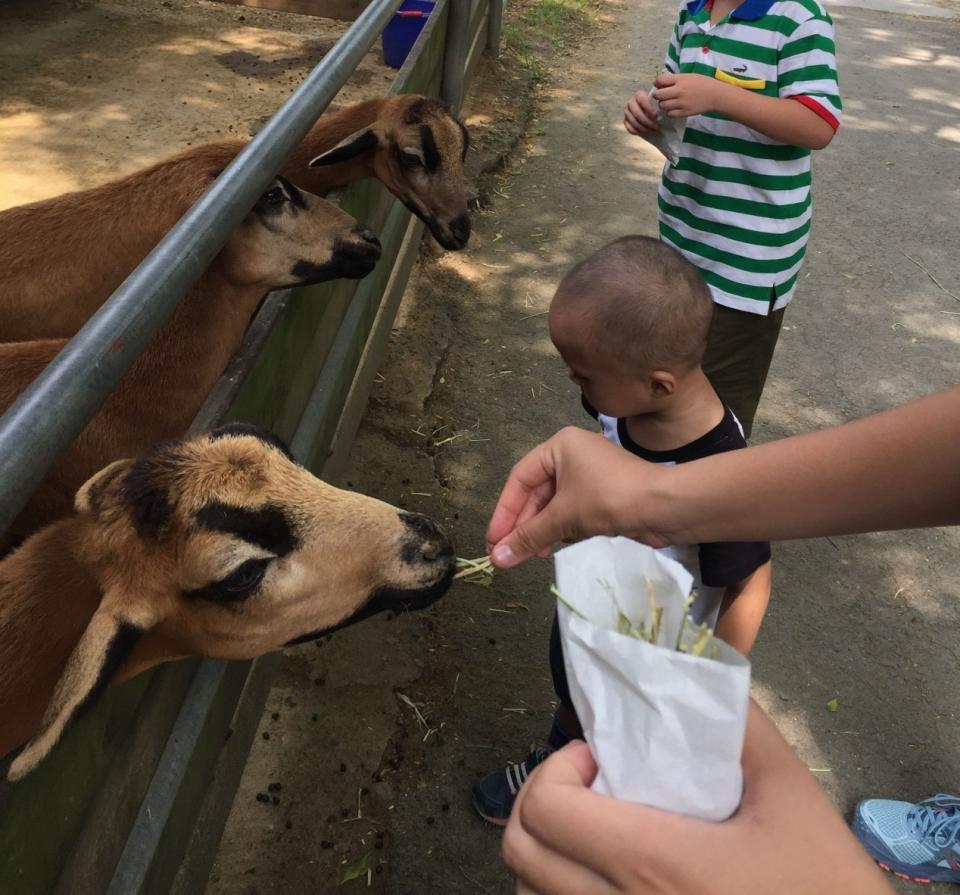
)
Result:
{"points": [[94, 89]]}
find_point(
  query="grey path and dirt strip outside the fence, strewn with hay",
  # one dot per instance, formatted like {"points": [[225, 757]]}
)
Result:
{"points": [[375, 738]]}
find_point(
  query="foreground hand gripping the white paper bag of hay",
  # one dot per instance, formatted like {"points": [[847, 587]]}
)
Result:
{"points": [[787, 837]]}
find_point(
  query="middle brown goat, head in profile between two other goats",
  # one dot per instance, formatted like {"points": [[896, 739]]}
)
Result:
{"points": [[290, 237]]}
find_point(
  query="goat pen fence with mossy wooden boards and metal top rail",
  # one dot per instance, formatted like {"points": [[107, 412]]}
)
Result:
{"points": [[135, 799]]}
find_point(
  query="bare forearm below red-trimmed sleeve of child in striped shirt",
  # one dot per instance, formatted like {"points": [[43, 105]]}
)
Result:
{"points": [[784, 120]]}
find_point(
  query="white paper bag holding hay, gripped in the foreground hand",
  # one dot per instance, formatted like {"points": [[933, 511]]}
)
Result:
{"points": [[666, 728]]}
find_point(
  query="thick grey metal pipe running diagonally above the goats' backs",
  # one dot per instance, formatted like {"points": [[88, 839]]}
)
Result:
{"points": [[59, 403]]}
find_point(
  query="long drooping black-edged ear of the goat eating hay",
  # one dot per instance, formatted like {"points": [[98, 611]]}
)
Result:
{"points": [[106, 643]]}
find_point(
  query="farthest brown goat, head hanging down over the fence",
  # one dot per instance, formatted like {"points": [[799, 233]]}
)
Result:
{"points": [[62, 258]]}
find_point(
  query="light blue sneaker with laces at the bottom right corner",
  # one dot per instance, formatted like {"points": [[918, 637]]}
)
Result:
{"points": [[919, 842]]}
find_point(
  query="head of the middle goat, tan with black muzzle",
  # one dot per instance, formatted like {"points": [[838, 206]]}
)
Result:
{"points": [[292, 237]]}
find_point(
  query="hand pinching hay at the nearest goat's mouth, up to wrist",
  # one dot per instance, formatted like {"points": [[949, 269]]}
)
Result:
{"points": [[574, 485]]}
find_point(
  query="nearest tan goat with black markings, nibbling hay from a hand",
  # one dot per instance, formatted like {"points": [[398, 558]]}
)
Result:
{"points": [[218, 546]]}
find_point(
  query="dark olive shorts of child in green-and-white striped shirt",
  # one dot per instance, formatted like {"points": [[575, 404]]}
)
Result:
{"points": [[739, 351]]}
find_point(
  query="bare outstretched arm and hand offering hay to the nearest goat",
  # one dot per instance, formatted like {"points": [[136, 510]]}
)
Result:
{"points": [[896, 469]]}
